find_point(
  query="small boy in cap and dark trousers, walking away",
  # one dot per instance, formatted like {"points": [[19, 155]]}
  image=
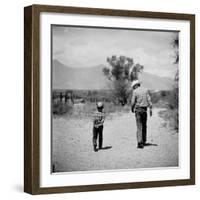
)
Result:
{"points": [[98, 120]]}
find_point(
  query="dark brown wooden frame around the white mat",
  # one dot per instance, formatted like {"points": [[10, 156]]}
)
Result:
{"points": [[32, 93]]}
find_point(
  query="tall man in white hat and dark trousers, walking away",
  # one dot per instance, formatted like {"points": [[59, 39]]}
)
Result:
{"points": [[140, 102]]}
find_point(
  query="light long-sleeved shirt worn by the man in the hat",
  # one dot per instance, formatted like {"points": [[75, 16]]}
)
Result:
{"points": [[141, 98]]}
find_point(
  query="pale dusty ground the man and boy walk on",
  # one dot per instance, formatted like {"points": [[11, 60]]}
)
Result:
{"points": [[73, 150]]}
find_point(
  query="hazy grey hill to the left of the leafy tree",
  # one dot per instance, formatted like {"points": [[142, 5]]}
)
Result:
{"points": [[65, 77]]}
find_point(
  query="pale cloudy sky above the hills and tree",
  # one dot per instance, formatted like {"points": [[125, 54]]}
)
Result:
{"points": [[88, 47]]}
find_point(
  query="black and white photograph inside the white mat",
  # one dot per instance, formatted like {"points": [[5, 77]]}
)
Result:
{"points": [[114, 99]]}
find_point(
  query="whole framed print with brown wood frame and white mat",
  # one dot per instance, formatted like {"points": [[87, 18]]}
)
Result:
{"points": [[109, 99]]}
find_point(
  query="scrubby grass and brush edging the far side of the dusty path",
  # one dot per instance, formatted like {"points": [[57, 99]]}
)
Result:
{"points": [[162, 99]]}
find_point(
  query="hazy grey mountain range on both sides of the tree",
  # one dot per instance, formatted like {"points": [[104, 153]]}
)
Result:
{"points": [[92, 78]]}
